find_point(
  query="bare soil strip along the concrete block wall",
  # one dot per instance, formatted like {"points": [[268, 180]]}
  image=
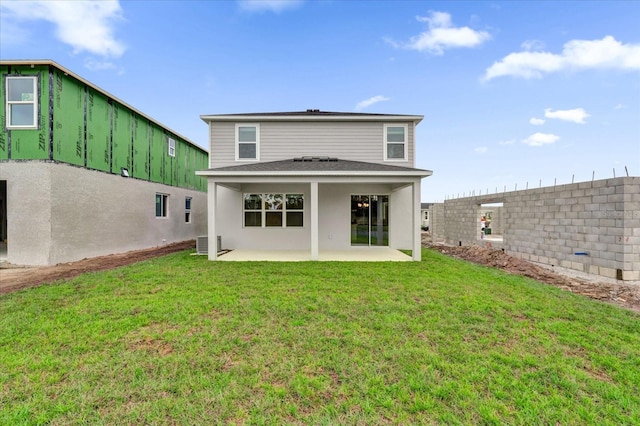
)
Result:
{"points": [[618, 293]]}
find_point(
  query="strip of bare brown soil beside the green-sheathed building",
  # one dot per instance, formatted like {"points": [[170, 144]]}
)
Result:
{"points": [[14, 278]]}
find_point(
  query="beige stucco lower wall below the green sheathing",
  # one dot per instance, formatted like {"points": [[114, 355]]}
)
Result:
{"points": [[60, 213]]}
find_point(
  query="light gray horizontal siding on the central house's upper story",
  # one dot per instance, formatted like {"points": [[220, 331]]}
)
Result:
{"points": [[357, 141]]}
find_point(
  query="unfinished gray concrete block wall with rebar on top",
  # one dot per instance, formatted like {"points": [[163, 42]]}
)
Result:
{"points": [[588, 226]]}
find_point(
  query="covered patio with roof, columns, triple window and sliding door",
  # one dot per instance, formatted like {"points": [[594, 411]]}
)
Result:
{"points": [[343, 210]]}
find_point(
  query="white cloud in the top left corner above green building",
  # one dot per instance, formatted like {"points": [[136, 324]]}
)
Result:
{"points": [[84, 25]]}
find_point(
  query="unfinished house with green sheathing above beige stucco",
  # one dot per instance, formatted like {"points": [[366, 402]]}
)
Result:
{"points": [[83, 174]]}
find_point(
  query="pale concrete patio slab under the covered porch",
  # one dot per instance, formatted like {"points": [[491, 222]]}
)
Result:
{"points": [[373, 254]]}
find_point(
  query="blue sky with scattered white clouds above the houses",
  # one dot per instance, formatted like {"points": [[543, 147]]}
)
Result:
{"points": [[513, 94]]}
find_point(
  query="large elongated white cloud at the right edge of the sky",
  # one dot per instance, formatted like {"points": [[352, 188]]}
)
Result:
{"points": [[607, 53]]}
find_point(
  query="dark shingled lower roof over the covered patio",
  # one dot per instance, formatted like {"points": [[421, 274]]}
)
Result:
{"points": [[316, 164]]}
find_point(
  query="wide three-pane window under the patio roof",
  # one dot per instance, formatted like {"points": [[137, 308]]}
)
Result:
{"points": [[273, 210]]}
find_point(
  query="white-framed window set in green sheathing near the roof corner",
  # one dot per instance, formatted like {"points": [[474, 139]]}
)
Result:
{"points": [[22, 106]]}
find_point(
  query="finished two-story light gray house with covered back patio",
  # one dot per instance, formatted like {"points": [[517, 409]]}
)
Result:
{"points": [[313, 181]]}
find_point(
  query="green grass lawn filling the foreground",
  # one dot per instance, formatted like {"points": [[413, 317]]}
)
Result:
{"points": [[180, 340]]}
